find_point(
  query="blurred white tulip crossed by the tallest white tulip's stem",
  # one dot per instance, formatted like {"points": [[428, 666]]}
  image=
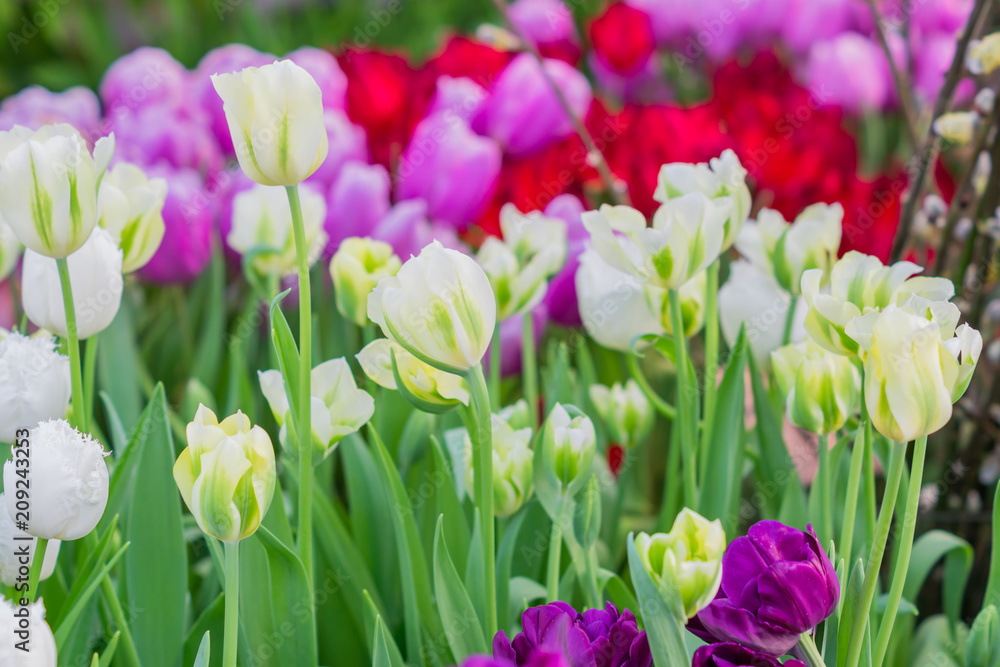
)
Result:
{"points": [[262, 221]]}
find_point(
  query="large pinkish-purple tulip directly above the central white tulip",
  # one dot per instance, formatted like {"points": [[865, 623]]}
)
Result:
{"points": [[449, 167]]}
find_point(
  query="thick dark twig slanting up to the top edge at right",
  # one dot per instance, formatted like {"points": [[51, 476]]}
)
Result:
{"points": [[929, 147]]}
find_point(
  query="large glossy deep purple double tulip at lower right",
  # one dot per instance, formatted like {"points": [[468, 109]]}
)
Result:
{"points": [[777, 582]]}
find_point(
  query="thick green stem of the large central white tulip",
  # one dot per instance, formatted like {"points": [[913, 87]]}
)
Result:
{"points": [[483, 481]]}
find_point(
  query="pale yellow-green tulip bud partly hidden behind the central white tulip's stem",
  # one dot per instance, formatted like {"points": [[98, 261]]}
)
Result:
{"points": [[513, 471]]}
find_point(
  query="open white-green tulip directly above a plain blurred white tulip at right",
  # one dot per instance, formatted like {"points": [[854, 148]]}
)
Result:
{"points": [[788, 250]]}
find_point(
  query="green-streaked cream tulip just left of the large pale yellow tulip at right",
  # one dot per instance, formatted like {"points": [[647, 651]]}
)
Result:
{"points": [[821, 387]]}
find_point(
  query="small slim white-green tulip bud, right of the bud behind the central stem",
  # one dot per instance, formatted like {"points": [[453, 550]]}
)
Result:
{"points": [[568, 447]]}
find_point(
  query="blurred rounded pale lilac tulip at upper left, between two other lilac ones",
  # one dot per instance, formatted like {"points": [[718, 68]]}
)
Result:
{"points": [[144, 77]]}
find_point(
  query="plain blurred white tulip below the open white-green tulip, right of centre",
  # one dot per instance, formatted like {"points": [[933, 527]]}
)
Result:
{"points": [[752, 297]]}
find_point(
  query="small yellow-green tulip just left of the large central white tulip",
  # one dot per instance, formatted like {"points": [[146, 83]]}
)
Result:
{"points": [[356, 268]]}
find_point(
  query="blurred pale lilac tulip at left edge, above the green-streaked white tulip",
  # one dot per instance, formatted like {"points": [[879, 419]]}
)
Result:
{"points": [[35, 106]]}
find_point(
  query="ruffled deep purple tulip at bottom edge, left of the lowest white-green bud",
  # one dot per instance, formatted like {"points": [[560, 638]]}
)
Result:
{"points": [[595, 638]]}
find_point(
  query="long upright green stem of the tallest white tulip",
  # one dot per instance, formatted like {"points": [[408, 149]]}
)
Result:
{"points": [[305, 390]]}
